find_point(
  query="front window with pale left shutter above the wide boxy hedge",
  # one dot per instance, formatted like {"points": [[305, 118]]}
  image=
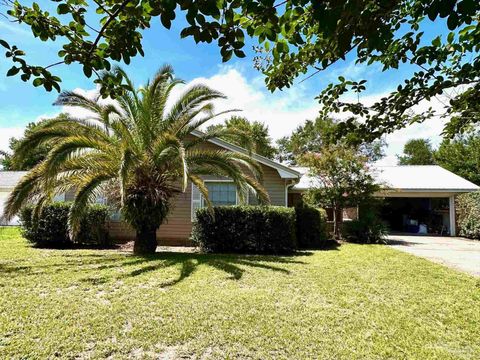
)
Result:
{"points": [[220, 193]]}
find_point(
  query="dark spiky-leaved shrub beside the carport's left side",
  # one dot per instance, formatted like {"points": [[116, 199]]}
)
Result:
{"points": [[368, 228]]}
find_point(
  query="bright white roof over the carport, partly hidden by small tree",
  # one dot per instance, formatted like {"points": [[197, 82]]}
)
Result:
{"points": [[415, 178]]}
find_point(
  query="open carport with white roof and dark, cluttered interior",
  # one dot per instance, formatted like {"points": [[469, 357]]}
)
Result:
{"points": [[421, 199]]}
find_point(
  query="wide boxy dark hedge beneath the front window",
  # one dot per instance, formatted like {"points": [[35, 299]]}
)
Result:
{"points": [[245, 230]]}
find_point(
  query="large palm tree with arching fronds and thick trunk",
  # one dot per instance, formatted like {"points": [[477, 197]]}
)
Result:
{"points": [[137, 143]]}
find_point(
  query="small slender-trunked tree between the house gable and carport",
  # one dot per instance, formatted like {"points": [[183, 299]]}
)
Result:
{"points": [[341, 178]]}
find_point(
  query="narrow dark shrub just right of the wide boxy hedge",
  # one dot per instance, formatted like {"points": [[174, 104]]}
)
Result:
{"points": [[311, 226]]}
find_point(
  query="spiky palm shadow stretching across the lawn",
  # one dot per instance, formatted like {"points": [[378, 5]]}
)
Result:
{"points": [[100, 268]]}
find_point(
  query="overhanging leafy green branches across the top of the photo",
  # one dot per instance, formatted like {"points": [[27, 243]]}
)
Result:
{"points": [[294, 37]]}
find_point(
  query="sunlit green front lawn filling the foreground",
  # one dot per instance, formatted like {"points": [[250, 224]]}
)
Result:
{"points": [[355, 302]]}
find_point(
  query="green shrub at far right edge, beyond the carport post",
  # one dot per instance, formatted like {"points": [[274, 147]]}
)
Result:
{"points": [[468, 215]]}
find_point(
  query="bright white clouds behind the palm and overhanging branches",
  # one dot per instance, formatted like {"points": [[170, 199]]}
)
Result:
{"points": [[282, 111]]}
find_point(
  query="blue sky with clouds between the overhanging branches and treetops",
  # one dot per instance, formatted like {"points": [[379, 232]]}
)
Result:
{"points": [[21, 103]]}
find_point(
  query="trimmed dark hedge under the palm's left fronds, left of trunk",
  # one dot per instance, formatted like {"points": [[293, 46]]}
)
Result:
{"points": [[50, 229]]}
